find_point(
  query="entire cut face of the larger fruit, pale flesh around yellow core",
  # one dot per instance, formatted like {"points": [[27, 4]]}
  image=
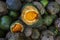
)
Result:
{"points": [[30, 15]]}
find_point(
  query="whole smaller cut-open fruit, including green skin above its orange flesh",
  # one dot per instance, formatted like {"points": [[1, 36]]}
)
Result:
{"points": [[17, 27]]}
